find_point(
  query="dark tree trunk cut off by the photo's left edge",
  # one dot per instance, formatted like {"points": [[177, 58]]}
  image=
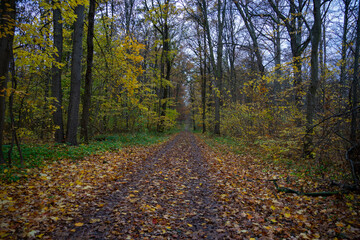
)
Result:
{"points": [[7, 23]]}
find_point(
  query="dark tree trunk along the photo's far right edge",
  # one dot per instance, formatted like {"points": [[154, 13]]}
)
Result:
{"points": [[355, 86]]}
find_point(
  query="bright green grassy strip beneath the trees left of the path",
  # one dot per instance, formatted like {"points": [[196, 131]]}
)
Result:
{"points": [[37, 155]]}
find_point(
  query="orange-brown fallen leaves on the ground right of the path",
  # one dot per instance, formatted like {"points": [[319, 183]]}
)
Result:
{"points": [[250, 195]]}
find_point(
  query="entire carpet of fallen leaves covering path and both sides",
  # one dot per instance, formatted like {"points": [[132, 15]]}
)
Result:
{"points": [[181, 189]]}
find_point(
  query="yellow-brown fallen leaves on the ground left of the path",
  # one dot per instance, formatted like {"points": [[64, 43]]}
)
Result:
{"points": [[32, 207]]}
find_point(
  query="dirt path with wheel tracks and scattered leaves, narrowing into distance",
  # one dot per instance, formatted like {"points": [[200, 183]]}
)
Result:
{"points": [[169, 196]]}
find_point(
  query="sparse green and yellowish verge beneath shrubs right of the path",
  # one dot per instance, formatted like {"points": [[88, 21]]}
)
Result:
{"points": [[276, 154]]}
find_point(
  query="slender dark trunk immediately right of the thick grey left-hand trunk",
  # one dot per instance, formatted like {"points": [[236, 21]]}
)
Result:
{"points": [[88, 76]]}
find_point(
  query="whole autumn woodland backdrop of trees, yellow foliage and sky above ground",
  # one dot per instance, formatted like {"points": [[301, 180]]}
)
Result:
{"points": [[280, 75]]}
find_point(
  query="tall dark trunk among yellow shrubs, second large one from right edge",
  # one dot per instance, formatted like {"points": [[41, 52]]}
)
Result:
{"points": [[311, 94]]}
